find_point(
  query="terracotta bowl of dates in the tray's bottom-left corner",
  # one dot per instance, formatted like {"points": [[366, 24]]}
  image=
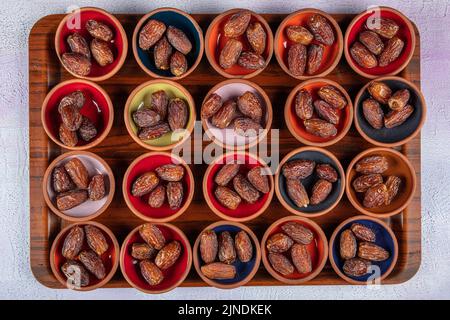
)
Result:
{"points": [[110, 258]]}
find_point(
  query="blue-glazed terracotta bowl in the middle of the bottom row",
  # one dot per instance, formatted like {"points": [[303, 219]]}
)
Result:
{"points": [[244, 270]]}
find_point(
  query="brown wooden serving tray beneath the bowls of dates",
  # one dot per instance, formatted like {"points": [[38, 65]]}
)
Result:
{"points": [[119, 150]]}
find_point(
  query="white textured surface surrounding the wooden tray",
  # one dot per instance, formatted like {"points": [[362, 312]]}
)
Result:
{"points": [[432, 281]]}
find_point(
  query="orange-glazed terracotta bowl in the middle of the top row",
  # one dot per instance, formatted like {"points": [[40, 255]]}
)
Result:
{"points": [[215, 40]]}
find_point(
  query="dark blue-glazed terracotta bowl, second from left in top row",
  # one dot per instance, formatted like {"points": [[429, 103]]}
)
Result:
{"points": [[180, 20]]}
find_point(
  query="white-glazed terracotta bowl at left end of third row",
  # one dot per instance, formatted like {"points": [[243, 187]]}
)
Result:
{"points": [[89, 209]]}
